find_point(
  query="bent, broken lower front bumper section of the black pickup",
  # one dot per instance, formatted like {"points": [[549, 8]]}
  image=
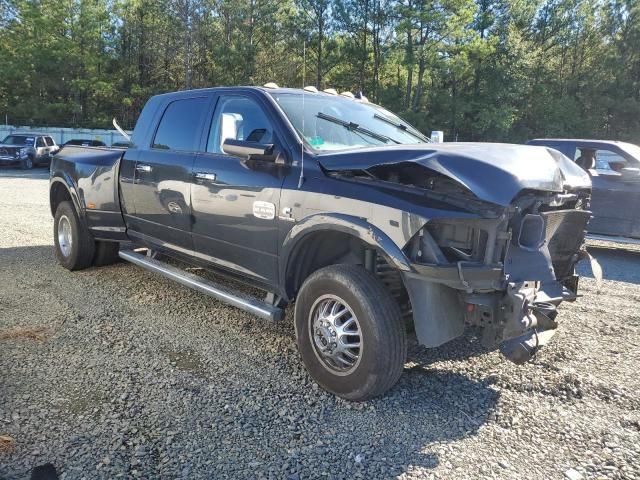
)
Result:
{"points": [[517, 317]]}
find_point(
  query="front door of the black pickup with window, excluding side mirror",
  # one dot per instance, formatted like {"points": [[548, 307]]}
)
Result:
{"points": [[235, 200]]}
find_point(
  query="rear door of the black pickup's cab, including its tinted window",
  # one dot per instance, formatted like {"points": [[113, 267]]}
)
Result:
{"points": [[161, 189]]}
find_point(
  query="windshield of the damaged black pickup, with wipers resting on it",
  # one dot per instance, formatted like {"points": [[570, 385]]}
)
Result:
{"points": [[330, 122]]}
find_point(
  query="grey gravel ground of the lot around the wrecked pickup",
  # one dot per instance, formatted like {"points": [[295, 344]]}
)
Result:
{"points": [[137, 377]]}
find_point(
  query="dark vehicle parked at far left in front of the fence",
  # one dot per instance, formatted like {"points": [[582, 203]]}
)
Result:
{"points": [[27, 150]]}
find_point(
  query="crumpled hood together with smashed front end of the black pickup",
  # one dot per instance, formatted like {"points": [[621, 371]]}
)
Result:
{"points": [[505, 227]]}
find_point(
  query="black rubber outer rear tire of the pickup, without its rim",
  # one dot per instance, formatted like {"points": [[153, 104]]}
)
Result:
{"points": [[82, 248]]}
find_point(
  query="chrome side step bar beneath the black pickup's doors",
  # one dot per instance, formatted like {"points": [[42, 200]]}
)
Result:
{"points": [[219, 292]]}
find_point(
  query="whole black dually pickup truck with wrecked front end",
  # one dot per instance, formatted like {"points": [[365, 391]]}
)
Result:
{"points": [[340, 206]]}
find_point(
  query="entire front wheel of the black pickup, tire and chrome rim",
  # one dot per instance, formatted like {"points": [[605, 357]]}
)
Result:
{"points": [[350, 332]]}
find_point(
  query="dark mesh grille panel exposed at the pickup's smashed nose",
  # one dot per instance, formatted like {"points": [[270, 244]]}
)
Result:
{"points": [[565, 230]]}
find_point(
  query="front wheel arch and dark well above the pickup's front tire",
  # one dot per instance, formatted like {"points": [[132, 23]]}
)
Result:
{"points": [[321, 249]]}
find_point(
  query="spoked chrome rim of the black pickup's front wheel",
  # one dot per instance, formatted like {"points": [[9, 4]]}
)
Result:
{"points": [[335, 335]]}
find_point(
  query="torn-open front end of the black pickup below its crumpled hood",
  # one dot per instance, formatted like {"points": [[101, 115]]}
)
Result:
{"points": [[506, 274]]}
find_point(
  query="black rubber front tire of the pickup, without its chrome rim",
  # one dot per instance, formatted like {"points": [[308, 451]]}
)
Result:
{"points": [[383, 338]]}
